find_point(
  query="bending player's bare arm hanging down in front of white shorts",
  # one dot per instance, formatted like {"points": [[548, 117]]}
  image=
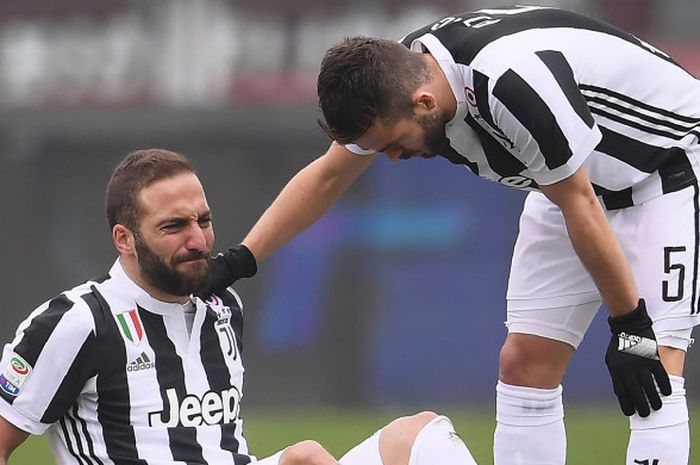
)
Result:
{"points": [[595, 242]]}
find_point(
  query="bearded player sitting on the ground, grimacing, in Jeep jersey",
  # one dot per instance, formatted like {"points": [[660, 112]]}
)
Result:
{"points": [[132, 369]]}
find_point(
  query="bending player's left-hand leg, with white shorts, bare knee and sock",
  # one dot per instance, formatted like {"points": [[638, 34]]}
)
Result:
{"points": [[551, 303]]}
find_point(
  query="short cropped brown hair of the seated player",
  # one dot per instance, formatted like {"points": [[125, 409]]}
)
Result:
{"points": [[136, 171]]}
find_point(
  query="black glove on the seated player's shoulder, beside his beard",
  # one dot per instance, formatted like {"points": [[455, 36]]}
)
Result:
{"points": [[226, 268]]}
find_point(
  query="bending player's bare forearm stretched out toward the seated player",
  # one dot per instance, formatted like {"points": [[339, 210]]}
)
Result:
{"points": [[304, 200]]}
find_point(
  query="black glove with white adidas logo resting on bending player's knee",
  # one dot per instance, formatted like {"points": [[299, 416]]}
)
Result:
{"points": [[633, 362]]}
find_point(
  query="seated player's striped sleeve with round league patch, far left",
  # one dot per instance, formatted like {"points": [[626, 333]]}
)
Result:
{"points": [[44, 369]]}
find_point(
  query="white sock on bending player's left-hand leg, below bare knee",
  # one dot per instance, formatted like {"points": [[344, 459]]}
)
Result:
{"points": [[529, 426]]}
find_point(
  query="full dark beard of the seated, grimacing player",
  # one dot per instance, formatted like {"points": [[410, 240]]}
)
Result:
{"points": [[165, 277]]}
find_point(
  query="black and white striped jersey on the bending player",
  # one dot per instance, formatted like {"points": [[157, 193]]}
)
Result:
{"points": [[541, 91]]}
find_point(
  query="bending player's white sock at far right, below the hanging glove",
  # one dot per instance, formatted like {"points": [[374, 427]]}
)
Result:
{"points": [[662, 438]]}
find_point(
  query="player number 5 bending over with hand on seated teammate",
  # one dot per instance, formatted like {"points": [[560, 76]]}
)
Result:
{"points": [[602, 129]]}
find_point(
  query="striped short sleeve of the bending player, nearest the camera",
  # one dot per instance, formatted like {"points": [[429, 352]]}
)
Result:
{"points": [[542, 116]]}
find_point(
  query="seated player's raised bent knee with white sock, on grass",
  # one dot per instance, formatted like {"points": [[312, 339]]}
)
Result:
{"points": [[422, 439]]}
